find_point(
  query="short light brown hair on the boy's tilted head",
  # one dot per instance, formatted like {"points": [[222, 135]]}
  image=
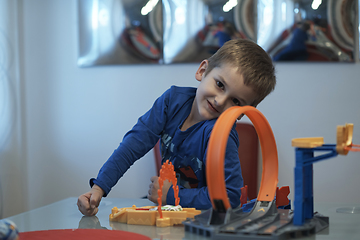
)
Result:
{"points": [[253, 63]]}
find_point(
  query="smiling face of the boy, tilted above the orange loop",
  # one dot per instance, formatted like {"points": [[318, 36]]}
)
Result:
{"points": [[221, 88]]}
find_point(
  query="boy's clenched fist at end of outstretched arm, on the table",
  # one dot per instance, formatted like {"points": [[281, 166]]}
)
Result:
{"points": [[88, 203]]}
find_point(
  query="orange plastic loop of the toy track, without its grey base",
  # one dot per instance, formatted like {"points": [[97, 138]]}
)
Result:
{"points": [[216, 154]]}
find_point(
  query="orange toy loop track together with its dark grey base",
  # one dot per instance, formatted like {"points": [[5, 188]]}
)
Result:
{"points": [[264, 221]]}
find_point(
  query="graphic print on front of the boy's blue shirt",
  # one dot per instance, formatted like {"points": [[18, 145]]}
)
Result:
{"points": [[188, 169]]}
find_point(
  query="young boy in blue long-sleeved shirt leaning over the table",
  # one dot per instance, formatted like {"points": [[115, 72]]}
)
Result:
{"points": [[240, 73]]}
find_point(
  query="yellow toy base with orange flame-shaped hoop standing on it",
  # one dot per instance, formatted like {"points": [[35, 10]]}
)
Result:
{"points": [[150, 215]]}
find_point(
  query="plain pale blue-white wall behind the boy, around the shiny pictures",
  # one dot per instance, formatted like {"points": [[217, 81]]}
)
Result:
{"points": [[73, 118]]}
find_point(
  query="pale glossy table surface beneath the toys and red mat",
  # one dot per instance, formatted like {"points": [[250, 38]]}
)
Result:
{"points": [[65, 215]]}
